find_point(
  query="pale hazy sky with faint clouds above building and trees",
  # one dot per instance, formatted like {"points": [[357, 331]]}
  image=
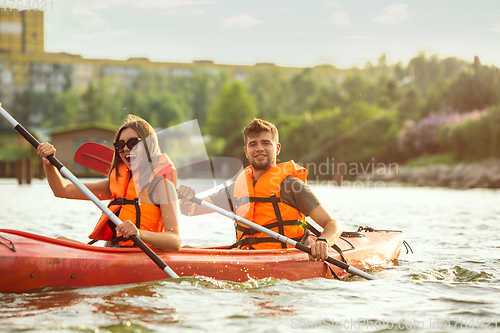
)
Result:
{"points": [[288, 33]]}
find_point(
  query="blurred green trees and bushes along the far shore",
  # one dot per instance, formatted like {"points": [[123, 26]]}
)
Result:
{"points": [[431, 110]]}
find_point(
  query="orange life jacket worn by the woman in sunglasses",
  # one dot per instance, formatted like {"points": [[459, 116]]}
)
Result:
{"points": [[126, 204]]}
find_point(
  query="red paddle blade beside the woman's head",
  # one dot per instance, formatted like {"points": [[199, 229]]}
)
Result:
{"points": [[95, 156]]}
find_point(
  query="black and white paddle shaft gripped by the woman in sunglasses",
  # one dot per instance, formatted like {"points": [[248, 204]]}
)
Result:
{"points": [[66, 173]]}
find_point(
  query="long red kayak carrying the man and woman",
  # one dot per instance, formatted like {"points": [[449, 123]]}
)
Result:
{"points": [[29, 261]]}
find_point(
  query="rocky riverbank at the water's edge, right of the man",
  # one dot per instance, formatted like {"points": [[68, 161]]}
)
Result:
{"points": [[481, 175]]}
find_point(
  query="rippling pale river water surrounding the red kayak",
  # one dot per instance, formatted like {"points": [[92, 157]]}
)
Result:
{"points": [[451, 282]]}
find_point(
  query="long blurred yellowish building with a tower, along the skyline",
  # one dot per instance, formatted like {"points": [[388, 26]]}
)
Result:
{"points": [[25, 66]]}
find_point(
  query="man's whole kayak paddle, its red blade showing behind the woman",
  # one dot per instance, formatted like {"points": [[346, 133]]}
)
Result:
{"points": [[96, 165]]}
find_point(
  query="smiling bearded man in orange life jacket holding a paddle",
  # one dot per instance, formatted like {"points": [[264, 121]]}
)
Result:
{"points": [[274, 196]]}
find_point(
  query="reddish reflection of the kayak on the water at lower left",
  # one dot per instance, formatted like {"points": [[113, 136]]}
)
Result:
{"points": [[118, 304]]}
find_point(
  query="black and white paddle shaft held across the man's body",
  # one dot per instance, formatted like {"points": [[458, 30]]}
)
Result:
{"points": [[280, 237]]}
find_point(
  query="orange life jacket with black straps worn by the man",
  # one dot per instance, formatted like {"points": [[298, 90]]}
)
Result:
{"points": [[262, 204]]}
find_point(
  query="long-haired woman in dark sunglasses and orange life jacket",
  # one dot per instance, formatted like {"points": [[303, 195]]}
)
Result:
{"points": [[140, 184]]}
